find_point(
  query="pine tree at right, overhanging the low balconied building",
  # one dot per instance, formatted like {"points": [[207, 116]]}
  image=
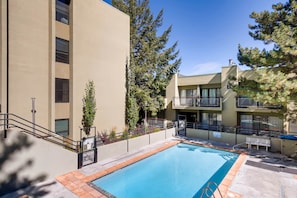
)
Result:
{"points": [[275, 80]]}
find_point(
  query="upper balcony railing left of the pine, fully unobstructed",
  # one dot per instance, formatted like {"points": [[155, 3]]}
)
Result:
{"points": [[196, 102]]}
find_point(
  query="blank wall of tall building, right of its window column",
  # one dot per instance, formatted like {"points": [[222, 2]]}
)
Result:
{"points": [[100, 50]]}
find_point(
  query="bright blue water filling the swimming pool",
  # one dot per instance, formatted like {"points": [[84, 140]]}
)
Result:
{"points": [[180, 171]]}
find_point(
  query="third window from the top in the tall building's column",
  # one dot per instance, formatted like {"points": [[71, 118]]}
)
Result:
{"points": [[62, 90]]}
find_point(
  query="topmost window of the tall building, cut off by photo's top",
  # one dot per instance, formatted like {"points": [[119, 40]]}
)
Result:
{"points": [[62, 11]]}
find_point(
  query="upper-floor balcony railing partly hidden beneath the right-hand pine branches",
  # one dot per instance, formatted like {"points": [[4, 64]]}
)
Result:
{"points": [[247, 102]]}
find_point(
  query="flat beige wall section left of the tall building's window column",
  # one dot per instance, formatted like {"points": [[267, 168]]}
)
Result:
{"points": [[29, 52]]}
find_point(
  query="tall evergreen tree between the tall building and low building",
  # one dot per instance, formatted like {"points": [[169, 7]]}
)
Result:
{"points": [[152, 64]]}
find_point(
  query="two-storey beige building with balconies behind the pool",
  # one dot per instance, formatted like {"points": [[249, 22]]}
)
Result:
{"points": [[207, 102]]}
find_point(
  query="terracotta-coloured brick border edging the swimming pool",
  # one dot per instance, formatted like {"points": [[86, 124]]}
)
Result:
{"points": [[79, 184]]}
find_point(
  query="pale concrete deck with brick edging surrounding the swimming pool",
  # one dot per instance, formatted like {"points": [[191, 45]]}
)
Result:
{"points": [[255, 174]]}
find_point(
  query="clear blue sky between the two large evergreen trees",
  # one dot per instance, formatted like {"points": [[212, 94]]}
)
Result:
{"points": [[209, 31]]}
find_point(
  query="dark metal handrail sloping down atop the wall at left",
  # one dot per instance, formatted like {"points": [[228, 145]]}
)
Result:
{"points": [[11, 120]]}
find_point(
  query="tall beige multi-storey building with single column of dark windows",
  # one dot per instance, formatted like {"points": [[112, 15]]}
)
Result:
{"points": [[50, 49]]}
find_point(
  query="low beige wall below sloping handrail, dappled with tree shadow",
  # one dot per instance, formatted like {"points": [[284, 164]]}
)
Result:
{"points": [[33, 158]]}
